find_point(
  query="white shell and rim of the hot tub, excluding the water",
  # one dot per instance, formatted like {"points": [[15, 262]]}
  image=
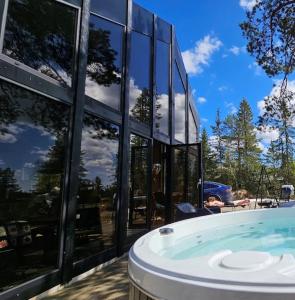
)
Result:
{"points": [[224, 275]]}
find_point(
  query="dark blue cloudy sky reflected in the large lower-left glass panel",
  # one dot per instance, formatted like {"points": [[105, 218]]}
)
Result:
{"points": [[34, 143]]}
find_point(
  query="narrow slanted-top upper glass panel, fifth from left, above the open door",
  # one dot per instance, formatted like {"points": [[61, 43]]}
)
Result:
{"points": [[179, 98]]}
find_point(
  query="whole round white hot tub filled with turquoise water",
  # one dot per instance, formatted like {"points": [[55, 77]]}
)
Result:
{"points": [[232, 256]]}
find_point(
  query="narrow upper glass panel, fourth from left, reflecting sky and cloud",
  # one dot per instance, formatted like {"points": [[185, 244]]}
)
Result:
{"points": [[162, 88]]}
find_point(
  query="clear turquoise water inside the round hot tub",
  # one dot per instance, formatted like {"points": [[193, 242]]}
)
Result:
{"points": [[276, 237]]}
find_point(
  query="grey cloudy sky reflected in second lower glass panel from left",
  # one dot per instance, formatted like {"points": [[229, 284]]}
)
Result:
{"points": [[99, 154]]}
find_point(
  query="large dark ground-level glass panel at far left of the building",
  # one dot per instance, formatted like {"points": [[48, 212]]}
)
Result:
{"points": [[33, 132]]}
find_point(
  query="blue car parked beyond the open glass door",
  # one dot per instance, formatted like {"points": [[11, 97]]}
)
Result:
{"points": [[220, 191]]}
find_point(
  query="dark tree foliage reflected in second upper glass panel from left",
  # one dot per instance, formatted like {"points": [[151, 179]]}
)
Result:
{"points": [[101, 66]]}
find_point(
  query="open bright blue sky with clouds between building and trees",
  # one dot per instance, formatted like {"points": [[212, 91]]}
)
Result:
{"points": [[221, 71]]}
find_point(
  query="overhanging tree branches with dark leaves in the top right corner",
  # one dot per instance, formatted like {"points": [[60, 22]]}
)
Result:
{"points": [[269, 29]]}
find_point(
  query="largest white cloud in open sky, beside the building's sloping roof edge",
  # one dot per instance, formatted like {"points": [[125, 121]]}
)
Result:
{"points": [[199, 56]]}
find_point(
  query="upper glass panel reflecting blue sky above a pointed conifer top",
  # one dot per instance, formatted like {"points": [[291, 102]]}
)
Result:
{"points": [[139, 85]]}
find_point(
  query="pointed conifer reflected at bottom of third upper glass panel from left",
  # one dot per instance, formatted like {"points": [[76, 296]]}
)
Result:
{"points": [[142, 107]]}
